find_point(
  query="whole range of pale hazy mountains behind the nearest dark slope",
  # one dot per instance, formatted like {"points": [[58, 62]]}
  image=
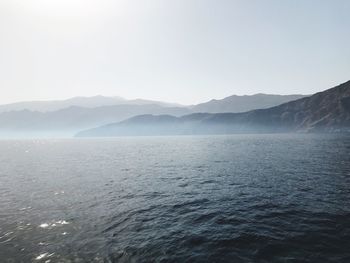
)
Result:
{"points": [[64, 118]]}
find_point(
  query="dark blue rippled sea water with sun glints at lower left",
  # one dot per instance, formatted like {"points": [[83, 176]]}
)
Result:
{"points": [[242, 198]]}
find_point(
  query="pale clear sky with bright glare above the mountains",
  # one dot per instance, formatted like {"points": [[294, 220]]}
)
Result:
{"points": [[184, 51]]}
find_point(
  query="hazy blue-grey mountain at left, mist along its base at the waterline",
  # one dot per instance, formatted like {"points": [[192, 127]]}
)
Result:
{"points": [[68, 121]]}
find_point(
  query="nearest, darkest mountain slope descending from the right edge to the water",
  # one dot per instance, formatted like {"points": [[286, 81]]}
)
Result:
{"points": [[327, 111]]}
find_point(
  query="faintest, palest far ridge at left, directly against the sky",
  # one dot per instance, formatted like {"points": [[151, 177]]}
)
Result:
{"points": [[86, 102]]}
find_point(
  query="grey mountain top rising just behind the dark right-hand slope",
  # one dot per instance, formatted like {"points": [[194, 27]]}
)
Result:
{"points": [[244, 103]]}
